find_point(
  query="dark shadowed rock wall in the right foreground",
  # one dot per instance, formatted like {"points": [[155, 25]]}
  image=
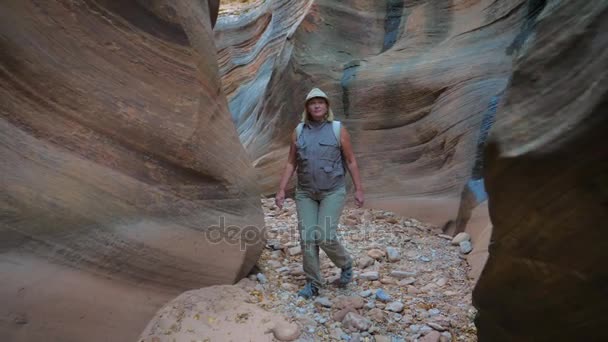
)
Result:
{"points": [[547, 181]]}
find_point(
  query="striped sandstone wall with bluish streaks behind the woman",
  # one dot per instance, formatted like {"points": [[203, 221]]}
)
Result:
{"points": [[411, 80]]}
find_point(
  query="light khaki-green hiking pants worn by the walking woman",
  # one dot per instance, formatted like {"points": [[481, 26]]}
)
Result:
{"points": [[318, 217]]}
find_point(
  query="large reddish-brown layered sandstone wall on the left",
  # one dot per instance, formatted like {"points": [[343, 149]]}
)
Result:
{"points": [[118, 156]]}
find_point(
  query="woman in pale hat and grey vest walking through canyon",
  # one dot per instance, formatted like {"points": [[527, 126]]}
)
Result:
{"points": [[320, 149]]}
